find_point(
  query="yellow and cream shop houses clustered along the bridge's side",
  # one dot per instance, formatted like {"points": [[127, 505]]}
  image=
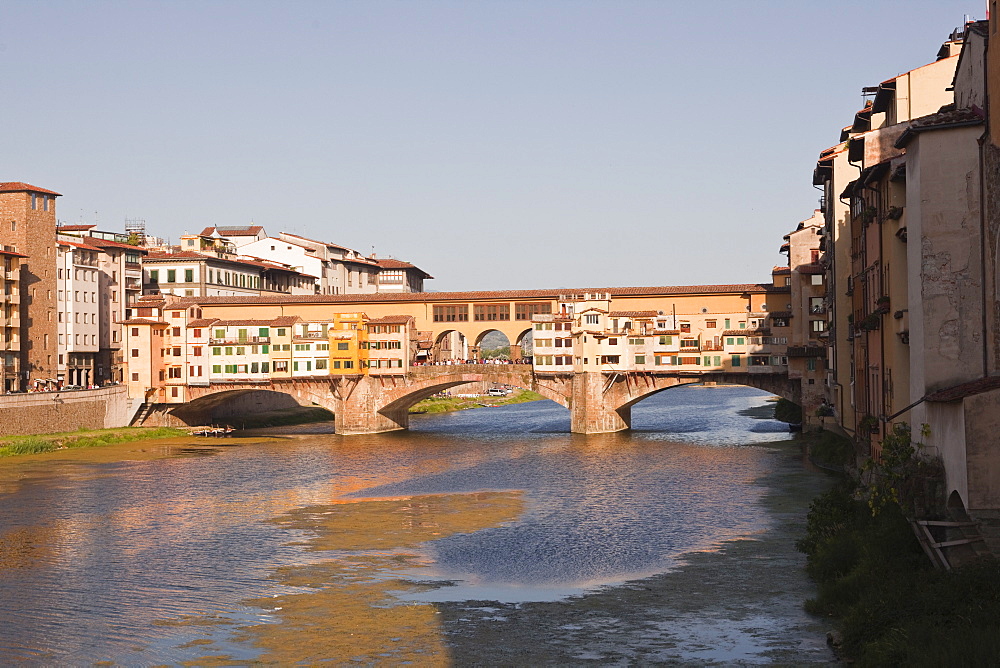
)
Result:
{"points": [[172, 345]]}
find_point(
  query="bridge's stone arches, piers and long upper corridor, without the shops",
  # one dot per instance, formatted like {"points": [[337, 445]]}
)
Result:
{"points": [[598, 400]]}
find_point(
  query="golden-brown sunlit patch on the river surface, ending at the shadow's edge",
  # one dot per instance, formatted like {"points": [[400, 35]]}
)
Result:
{"points": [[353, 613]]}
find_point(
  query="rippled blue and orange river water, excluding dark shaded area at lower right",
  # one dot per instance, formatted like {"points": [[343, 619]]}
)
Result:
{"points": [[255, 550]]}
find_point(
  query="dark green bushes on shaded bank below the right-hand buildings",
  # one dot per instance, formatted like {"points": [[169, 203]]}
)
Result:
{"points": [[892, 607]]}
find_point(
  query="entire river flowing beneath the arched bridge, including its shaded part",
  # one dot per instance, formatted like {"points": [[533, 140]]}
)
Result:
{"points": [[489, 536]]}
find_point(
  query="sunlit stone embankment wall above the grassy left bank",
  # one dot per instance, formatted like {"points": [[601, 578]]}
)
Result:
{"points": [[50, 412]]}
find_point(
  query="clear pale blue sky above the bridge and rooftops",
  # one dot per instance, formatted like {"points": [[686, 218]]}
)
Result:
{"points": [[496, 145]]}
